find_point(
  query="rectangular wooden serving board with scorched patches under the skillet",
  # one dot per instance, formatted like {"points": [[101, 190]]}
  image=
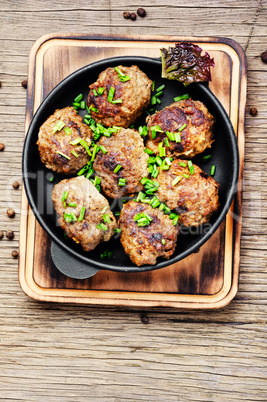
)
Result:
{"points": [[207, 279]]}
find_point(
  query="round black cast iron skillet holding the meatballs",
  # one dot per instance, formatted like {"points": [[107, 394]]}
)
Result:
{"points": [[67, 255]]}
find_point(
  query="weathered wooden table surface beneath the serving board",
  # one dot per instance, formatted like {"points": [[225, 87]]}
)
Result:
{"points": [[57, 352]]}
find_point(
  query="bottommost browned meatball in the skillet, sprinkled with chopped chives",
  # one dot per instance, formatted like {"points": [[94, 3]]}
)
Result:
{"points": [[144, 244]]}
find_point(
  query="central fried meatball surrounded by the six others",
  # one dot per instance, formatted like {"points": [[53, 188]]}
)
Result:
{"points": [[124, 148]]}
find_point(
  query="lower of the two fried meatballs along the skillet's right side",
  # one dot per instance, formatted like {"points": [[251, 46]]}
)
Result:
{"points": [[195, 198]]}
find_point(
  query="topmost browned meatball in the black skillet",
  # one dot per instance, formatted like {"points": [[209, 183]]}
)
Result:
{"points": [[134, 93]]}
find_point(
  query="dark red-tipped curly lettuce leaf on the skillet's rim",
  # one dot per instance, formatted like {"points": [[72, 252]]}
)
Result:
{"points": [[184, 63]]}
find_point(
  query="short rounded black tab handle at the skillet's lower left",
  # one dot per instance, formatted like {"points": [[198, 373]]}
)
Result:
{"points": [[69, 265]]}
